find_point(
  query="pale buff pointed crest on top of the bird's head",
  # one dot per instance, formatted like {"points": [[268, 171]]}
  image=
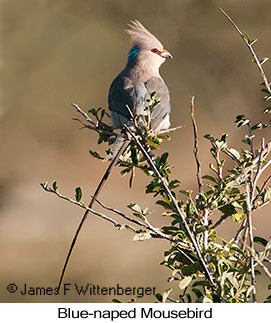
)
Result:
{"points": [[141, 37]]}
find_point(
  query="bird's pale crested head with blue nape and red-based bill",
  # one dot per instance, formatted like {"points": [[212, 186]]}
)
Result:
{"points": [[147, 50]]}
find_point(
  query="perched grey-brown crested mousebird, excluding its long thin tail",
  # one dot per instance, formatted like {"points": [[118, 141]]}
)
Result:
{"points": [[133, 86]]}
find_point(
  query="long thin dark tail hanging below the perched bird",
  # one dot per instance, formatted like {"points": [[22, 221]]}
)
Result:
{"points": [[117, 153]]}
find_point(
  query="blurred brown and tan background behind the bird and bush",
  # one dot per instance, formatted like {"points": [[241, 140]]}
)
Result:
{"points": [[53, 53]]}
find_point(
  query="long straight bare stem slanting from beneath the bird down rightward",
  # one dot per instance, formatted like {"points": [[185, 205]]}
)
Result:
{"points": [[175, 203]]}
